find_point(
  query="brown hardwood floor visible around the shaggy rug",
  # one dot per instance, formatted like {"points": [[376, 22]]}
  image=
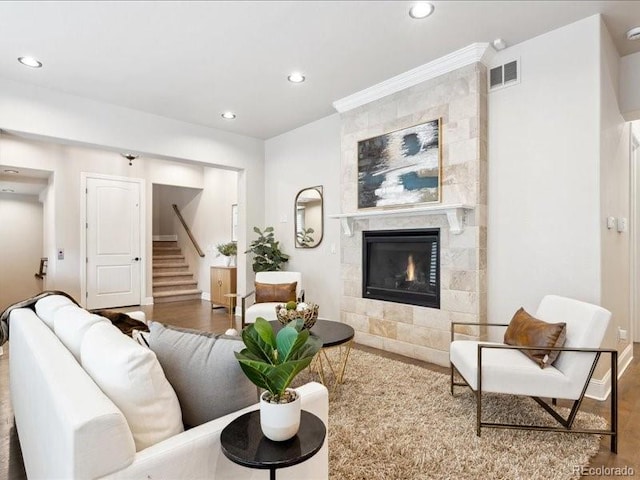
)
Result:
{"points": [[199, 315]]}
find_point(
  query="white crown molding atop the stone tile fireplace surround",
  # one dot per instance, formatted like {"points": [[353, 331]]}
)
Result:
{"points": [[476, 52]]}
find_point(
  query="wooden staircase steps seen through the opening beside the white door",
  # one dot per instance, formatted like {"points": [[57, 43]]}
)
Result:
{"points": [[172, 280]]}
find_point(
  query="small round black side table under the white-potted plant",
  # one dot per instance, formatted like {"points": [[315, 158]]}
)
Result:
{"points": [[243, 443]]}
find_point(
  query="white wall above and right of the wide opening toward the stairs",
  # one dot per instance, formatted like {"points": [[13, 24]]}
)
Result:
{"points": [[64, 118]]}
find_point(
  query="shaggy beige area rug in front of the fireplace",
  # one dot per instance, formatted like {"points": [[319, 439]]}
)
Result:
{"points": [[390, 420]]}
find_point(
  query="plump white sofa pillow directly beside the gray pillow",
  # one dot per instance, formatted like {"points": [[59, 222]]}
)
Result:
{"points": [[130, 375]]}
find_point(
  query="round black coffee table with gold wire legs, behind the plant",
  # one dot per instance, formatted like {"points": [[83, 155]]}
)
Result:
{"points": [[332, 334]]}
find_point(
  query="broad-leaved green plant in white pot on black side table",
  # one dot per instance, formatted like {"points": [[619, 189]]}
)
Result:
{"points": [[272, 362]]}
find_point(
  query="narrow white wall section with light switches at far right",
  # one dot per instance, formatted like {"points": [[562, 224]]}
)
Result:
{"points": [[614, 195]]}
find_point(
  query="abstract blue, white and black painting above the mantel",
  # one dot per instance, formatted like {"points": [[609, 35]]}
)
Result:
{"points": [[400, 168]]}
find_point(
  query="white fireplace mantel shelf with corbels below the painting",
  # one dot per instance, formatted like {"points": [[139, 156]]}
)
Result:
{"points": [[455, 214]]}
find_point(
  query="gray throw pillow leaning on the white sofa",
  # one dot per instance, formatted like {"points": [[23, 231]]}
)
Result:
{"points": [[203, 371]]}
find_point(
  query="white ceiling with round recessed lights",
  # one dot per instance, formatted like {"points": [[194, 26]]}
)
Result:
{"points": [[193, 60]]}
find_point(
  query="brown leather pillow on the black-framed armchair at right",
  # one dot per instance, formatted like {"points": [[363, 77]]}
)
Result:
{"points": [[527, 331]]}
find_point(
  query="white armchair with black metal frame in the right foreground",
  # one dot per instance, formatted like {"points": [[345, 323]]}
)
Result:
{"points": [[500, 368]]}
